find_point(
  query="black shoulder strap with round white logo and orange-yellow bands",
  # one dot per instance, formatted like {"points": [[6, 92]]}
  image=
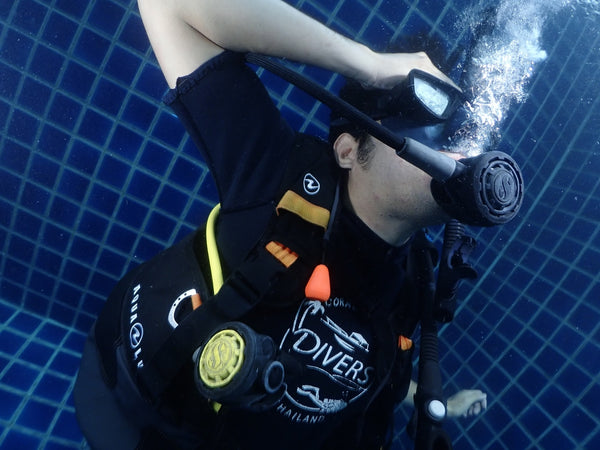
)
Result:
{"points": [[289, 250]]}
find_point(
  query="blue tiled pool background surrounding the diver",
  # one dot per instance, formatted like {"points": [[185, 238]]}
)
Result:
{"points": [[96, 176]]}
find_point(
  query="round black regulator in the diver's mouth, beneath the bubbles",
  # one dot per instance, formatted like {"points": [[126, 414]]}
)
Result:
{"points": [[487, 191]]}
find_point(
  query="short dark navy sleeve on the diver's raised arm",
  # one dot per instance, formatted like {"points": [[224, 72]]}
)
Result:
{"points": [[237, 128]]}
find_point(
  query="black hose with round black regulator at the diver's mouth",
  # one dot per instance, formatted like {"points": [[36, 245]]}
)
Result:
{"points": [[484, 190]]}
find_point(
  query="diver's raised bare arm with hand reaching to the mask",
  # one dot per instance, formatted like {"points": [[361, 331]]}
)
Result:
{"points": [[186, 33]]}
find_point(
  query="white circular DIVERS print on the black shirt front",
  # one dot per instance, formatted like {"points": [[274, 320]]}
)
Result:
{"points": [[336, 361]]}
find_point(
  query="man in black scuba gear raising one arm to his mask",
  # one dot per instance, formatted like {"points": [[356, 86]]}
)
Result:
{"points": [[286, 321]]}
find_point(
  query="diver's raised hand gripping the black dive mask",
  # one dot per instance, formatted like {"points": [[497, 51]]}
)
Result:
{"points": [[392, 68]]}
